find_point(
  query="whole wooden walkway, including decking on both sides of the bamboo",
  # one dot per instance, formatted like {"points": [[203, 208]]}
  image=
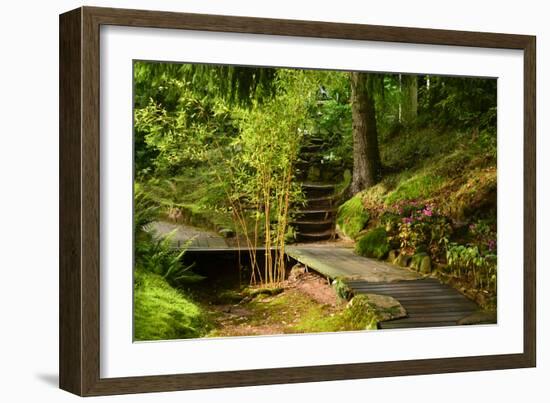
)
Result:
{"points": [[428, 302]]}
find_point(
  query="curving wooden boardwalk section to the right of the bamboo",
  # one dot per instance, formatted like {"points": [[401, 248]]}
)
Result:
{"points": [[428, 302]]}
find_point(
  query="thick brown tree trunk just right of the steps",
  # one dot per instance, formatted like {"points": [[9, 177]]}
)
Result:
{"points": [[366, 156]]}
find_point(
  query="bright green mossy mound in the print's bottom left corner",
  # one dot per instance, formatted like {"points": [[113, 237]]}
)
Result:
{"points": [[162, 312]]}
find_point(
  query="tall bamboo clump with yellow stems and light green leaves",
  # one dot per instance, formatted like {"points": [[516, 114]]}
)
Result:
{"points": [[261, 186]]}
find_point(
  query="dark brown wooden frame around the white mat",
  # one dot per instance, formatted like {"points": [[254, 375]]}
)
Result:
{"points": [[79, 201]]}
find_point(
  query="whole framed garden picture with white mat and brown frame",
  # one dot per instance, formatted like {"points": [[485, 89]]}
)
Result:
{"points": [[248, 201]]}
